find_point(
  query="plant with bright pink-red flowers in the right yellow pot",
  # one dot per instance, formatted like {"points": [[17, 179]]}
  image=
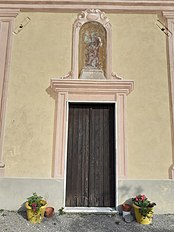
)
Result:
{"points": [[144, 204]]}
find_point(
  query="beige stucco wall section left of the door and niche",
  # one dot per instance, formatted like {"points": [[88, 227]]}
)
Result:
{"points": [[40, 51]]}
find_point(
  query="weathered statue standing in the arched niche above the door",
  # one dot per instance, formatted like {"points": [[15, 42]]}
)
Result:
{"points": [[93, 43]]}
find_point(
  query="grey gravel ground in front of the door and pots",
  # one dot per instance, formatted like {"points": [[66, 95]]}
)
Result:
{"points": [[16, 222]]}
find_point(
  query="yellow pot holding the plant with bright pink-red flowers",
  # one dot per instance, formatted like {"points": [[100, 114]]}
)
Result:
{"points": [[140, 218]]}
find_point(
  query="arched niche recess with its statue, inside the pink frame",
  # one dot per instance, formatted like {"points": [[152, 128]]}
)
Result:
{"points": [[92, 48]]}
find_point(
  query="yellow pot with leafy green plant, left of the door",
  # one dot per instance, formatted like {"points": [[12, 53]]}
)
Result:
{"points": [[35, 207]]}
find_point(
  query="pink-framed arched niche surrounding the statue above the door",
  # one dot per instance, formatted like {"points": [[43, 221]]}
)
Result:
{"points": [[91, 21]]}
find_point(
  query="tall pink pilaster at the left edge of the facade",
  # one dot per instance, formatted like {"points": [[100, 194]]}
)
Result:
{"points": [[7, 17]]}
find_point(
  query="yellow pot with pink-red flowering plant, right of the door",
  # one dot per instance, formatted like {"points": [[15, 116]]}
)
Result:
{"points": [[143, 209]]}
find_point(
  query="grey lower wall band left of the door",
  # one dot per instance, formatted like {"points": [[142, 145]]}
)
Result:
{"points": [[17, 190]]}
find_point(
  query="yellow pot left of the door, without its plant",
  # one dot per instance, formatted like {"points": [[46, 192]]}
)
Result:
{"points": [[35, 217]]}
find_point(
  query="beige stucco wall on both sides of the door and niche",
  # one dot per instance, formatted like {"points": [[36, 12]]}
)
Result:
{"points": [[43, 50]]}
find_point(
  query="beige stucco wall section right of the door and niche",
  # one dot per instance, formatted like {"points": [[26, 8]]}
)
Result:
{"points": [[140, 54]]}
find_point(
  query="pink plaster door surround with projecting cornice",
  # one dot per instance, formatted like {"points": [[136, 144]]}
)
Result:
{"points": [[89, 90]]}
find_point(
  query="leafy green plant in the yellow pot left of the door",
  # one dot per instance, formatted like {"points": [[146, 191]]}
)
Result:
{"points": [[35, 202]]}
